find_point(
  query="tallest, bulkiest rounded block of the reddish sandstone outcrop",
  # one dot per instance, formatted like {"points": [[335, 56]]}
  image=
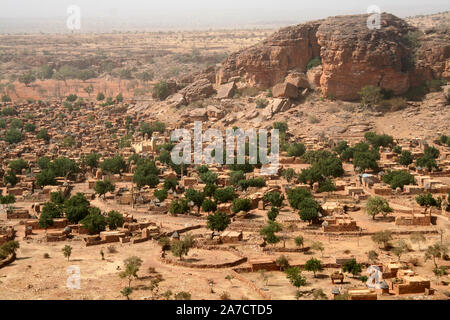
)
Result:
{"points": [[353, 56]]}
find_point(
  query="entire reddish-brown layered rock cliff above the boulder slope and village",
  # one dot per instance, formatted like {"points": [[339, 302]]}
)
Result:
{"points": [[353, 56]]}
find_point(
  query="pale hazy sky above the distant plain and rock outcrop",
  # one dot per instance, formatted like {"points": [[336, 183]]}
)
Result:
{"points": [[207, 13]]}
